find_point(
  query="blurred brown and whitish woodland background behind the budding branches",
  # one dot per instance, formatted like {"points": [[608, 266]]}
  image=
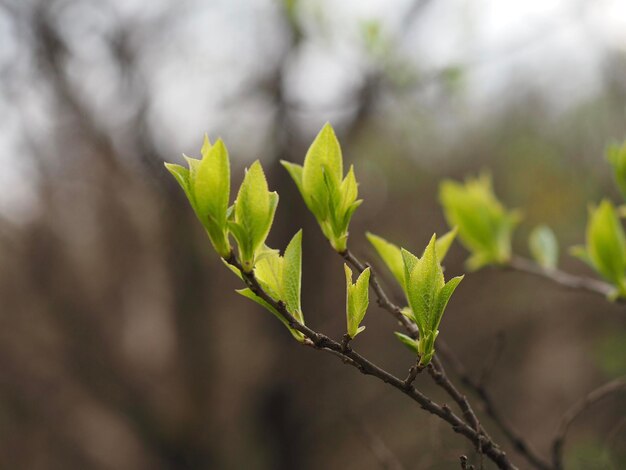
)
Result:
{"points": [[122, 343]]}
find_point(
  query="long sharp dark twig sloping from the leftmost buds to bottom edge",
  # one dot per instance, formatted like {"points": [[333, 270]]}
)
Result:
{"points": [[352, 358]]}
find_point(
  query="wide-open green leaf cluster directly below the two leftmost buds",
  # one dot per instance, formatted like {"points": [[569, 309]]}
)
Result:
{"points": [[281, 278]]}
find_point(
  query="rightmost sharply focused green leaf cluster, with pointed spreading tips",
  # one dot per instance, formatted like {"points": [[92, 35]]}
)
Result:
{"points": [[428, 295]]}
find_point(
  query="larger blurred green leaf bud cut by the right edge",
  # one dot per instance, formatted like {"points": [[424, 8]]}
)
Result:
{"points": [[605, 249]]}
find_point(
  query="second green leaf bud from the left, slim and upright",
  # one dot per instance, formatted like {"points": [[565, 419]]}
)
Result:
{"points": [[253, 214]]}
